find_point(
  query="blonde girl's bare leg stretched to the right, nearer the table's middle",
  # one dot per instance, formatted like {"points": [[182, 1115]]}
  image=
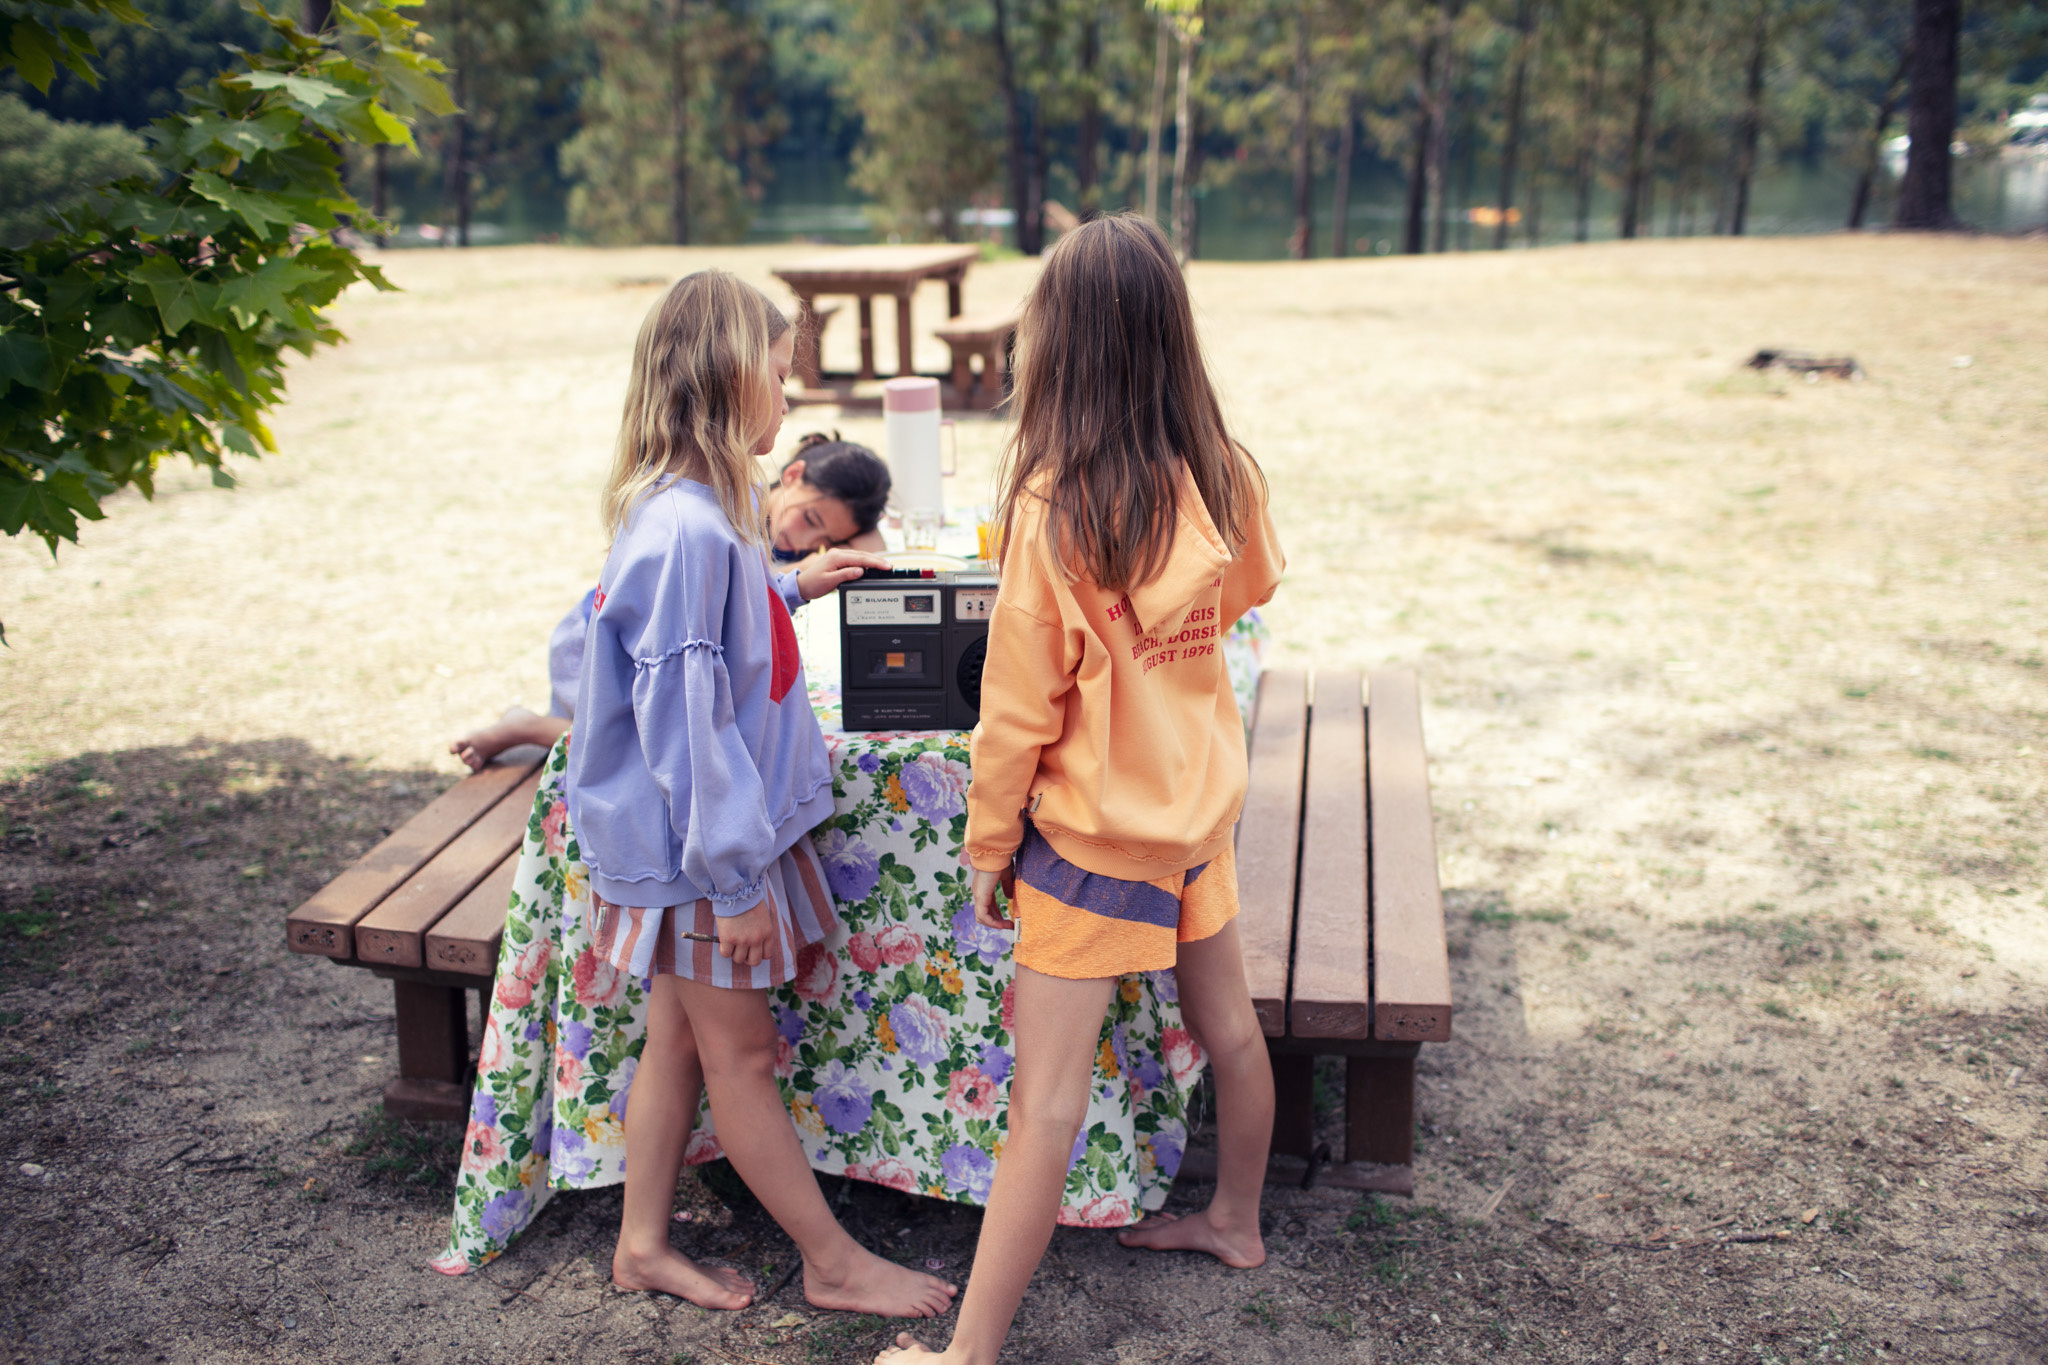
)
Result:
{"points": [[738, 1057]]}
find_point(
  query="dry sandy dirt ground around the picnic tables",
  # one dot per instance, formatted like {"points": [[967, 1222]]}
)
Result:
{"points": [[1738, 713]]}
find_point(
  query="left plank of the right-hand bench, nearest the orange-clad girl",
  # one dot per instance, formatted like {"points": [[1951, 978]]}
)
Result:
{"points": [[1269, 840]]}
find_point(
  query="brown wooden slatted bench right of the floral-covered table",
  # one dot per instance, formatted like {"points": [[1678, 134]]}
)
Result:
{"points": [[1342, 920]]}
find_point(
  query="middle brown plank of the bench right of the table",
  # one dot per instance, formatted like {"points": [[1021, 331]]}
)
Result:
{"points": [[1330, 922]]}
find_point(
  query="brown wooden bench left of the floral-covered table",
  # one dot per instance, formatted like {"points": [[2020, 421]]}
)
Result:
{"points": [[427, 910]]}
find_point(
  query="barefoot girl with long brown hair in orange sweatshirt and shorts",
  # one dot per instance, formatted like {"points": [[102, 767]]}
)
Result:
{"points": [[1111, 758]]}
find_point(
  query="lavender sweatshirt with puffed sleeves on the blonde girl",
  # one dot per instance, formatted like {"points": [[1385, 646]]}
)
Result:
{"points": [[695, 760]]}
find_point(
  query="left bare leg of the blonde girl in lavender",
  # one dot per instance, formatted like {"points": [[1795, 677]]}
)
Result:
{"points": [[660, 1112]]}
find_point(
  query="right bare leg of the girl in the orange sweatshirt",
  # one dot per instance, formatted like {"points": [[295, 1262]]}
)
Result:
{"points": [[1220, 1014]]}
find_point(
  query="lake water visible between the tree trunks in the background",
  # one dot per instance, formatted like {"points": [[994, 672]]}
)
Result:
{"points": [[1250, 216]]}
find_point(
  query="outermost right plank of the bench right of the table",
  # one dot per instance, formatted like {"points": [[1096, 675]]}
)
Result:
{"points": [[1410, 957]]}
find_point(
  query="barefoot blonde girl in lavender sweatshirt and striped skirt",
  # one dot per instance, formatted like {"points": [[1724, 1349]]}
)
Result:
{"points": [[695, 777]]}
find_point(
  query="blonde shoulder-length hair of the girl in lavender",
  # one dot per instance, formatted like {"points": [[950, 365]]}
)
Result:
{"points": [[701, 394]]}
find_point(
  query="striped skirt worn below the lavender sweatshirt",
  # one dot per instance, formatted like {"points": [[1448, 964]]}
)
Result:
{"points": [[648, 942]]}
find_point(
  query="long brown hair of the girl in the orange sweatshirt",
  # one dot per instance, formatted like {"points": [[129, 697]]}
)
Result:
{"points": [[1113, 402]]}
